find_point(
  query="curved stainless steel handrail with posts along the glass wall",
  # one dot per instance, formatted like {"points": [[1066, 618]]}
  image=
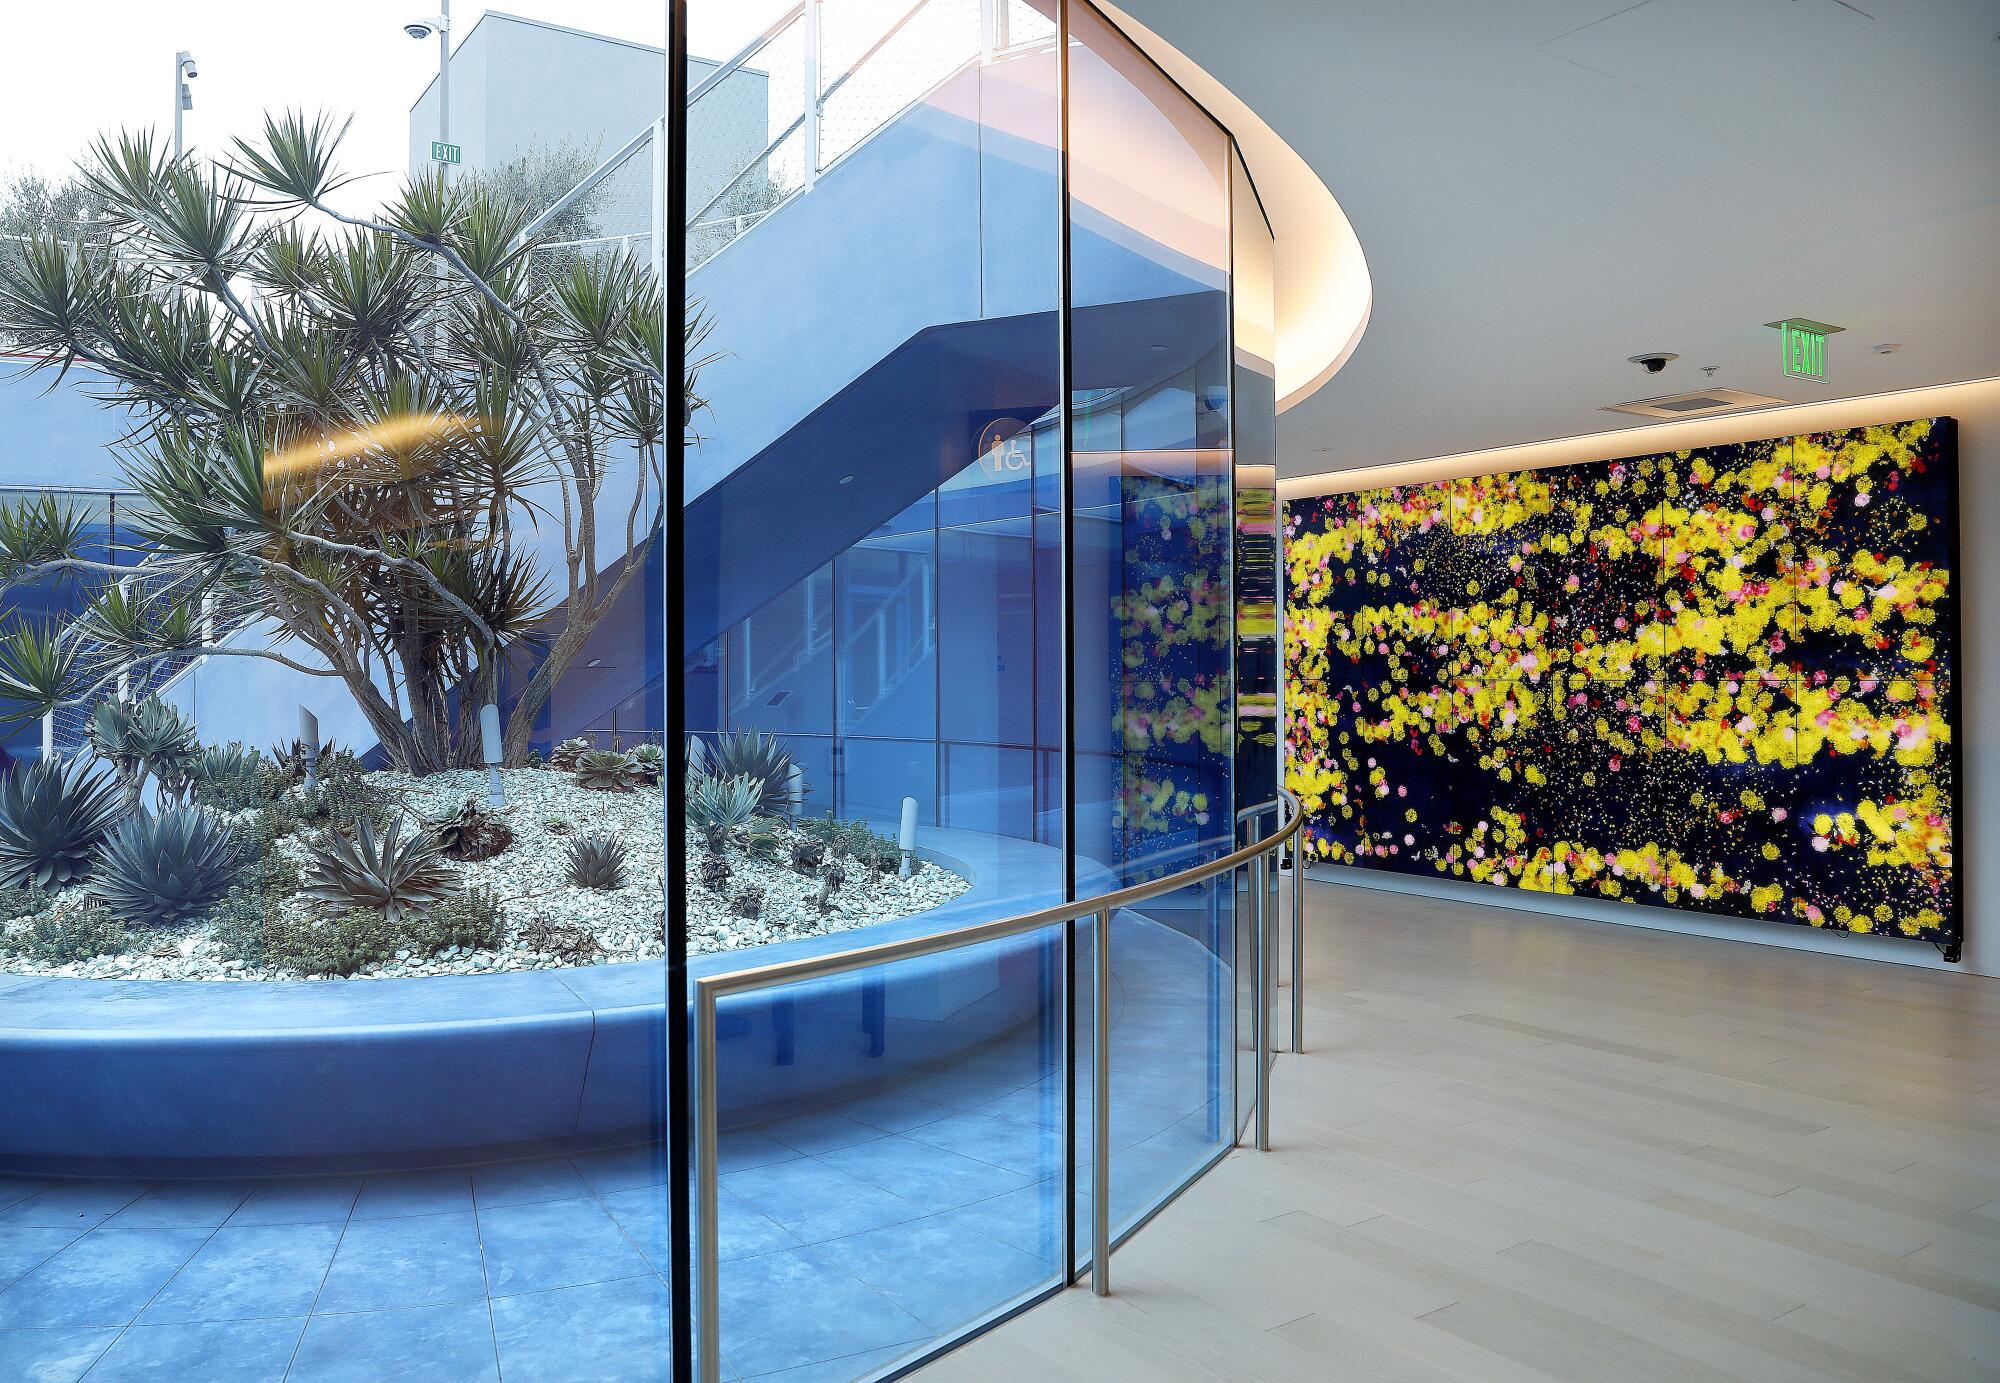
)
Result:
{"points": [[711, 990]]}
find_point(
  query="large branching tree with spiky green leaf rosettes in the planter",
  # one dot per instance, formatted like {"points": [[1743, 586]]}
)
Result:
{"points": [[393, 439]]}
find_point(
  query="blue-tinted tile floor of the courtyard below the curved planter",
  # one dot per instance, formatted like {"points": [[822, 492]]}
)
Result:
{"points": [[851, 1236]]}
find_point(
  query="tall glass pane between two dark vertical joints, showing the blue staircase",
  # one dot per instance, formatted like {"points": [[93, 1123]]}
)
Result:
{"points": [[869, 597]]}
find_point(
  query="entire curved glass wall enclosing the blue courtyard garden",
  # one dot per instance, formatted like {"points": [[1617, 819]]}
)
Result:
{"points": [[405, 732]]}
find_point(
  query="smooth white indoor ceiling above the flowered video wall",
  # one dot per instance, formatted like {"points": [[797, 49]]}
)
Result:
{"points": [[1549, 187]]}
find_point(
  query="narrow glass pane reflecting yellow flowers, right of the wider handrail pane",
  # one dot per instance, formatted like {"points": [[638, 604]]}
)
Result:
{"points": [[1155, 696]]}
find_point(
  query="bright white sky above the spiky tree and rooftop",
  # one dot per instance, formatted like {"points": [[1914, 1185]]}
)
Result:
{"points": [[75, 71]]}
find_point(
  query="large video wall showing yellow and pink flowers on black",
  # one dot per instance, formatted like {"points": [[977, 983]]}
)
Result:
{"points": [[1717, 681]]}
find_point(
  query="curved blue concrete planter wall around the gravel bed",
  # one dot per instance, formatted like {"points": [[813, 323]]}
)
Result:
{"points": [[155, 1076]]}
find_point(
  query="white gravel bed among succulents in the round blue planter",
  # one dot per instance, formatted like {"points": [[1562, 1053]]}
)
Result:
{"points": [[547, 810]]}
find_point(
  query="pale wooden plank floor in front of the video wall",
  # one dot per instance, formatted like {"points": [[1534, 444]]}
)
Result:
{"points": [[1525, 1148]]}
